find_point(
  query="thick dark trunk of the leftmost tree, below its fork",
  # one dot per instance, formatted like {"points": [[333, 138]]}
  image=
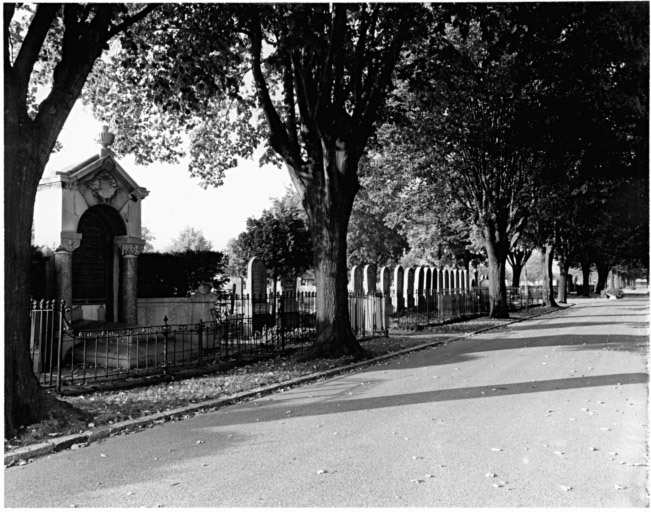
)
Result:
{"points": [[24, 160]]}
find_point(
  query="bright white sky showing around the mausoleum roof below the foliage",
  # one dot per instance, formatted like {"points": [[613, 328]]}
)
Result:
{"points": [[175, 199]]}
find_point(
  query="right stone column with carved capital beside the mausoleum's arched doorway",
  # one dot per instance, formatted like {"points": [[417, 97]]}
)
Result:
{"points": [[129, 249]]}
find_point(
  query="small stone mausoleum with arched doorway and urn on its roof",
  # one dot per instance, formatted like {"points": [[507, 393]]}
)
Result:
{"points": [[88, 219]]}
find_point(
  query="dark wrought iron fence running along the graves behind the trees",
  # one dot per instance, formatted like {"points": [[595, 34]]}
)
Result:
{"points": [[241, 326]]}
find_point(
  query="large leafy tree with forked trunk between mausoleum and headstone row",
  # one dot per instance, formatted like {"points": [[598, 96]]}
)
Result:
{"points": [[319, 73]]}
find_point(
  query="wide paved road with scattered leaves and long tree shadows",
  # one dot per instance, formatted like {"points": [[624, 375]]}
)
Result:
{"points": [[551, 412]]}
